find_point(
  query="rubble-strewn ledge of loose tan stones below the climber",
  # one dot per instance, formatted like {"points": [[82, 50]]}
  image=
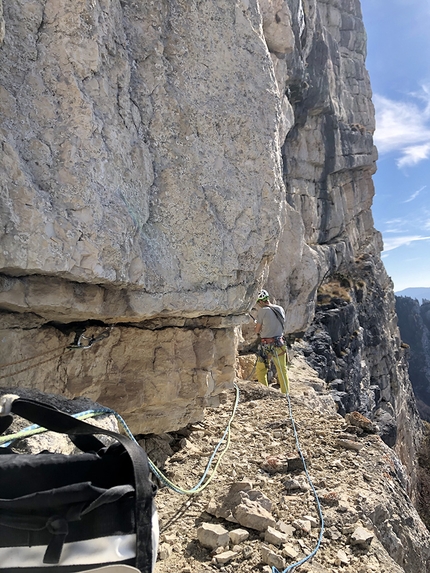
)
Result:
{"points": [[261, 512]]}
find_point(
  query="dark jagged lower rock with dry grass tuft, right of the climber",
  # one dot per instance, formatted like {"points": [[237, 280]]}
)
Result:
{"points": [[354, 345]]}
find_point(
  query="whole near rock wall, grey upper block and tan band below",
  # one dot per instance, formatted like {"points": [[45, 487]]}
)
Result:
{"points": [[141, 180]]}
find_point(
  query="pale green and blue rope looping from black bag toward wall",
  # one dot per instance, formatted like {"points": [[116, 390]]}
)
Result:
{"points": [[6, 441]]}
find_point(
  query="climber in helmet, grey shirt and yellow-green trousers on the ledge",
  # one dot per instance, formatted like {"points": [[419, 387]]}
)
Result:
{"points": [[270, 326]]}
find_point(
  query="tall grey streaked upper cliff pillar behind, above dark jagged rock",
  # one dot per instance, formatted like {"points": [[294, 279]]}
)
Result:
{"points": [[328, 154]]}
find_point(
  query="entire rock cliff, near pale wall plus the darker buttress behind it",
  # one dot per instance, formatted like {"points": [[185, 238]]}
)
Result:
{"points": [[161, 161]]}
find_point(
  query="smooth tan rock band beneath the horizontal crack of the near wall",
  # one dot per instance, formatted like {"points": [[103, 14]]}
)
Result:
{"points": [[168, 373]]}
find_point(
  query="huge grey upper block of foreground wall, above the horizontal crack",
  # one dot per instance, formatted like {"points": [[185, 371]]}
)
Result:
{"points": [[128, 159]]}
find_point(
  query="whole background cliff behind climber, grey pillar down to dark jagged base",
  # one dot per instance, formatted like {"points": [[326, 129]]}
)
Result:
{"points": [[329, 242]]}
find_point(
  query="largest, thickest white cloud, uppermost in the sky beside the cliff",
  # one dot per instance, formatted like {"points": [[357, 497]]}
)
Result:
{"points": [[404, 127]]}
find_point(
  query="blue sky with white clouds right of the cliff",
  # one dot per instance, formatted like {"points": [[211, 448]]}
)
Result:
{"points": [[398, 61]]}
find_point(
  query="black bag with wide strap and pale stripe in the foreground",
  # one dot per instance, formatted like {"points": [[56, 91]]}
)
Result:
{"points": [[73, 513]]}
